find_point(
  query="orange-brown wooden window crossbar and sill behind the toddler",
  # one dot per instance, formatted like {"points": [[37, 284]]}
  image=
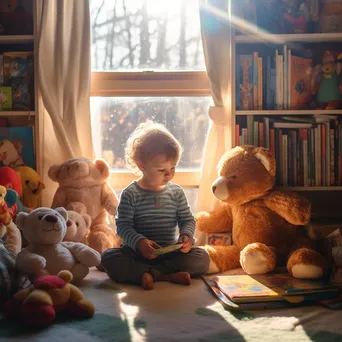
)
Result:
{"points": [[150, 83]]}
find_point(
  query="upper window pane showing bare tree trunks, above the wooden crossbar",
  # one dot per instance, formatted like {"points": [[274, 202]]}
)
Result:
{"points": [[146, 34]]}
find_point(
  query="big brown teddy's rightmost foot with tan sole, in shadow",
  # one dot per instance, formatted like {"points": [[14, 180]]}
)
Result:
{"points": [[306, 263]]}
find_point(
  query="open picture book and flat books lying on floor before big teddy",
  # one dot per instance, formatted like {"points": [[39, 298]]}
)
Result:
{"points": [[273, 290]]}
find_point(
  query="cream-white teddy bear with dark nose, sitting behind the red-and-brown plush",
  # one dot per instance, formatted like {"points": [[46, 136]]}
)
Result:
{"points": [[44, 229]]}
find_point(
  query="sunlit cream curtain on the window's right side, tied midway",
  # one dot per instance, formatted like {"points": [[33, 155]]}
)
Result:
{"points": [[216, 39]]}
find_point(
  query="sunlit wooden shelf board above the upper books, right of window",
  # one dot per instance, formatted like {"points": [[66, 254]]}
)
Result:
{"points": [[263, 37]]}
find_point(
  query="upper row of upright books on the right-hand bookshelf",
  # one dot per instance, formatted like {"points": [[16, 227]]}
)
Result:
{"points": [[286, 79]]}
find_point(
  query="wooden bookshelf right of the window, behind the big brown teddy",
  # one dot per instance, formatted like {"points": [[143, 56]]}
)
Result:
{"points": [[325, 198]]}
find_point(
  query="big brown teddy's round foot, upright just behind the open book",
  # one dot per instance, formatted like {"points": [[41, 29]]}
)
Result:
{"points": [[257, 258]]}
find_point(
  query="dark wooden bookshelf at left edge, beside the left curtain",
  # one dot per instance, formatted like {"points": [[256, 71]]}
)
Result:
{"points": [[24, 41]]}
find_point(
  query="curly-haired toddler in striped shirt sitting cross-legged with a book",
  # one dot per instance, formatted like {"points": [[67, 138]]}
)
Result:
{"points": [[149, 212]]}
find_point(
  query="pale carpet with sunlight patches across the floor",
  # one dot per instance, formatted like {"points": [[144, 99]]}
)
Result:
{"points": [[177, 313]]}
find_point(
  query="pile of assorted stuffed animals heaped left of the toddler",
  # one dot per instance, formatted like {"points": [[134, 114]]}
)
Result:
{"points": [[62, 242]]}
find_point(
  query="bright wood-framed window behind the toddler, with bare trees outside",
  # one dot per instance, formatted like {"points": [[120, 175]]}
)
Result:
{"points": [[147, 62]]}
